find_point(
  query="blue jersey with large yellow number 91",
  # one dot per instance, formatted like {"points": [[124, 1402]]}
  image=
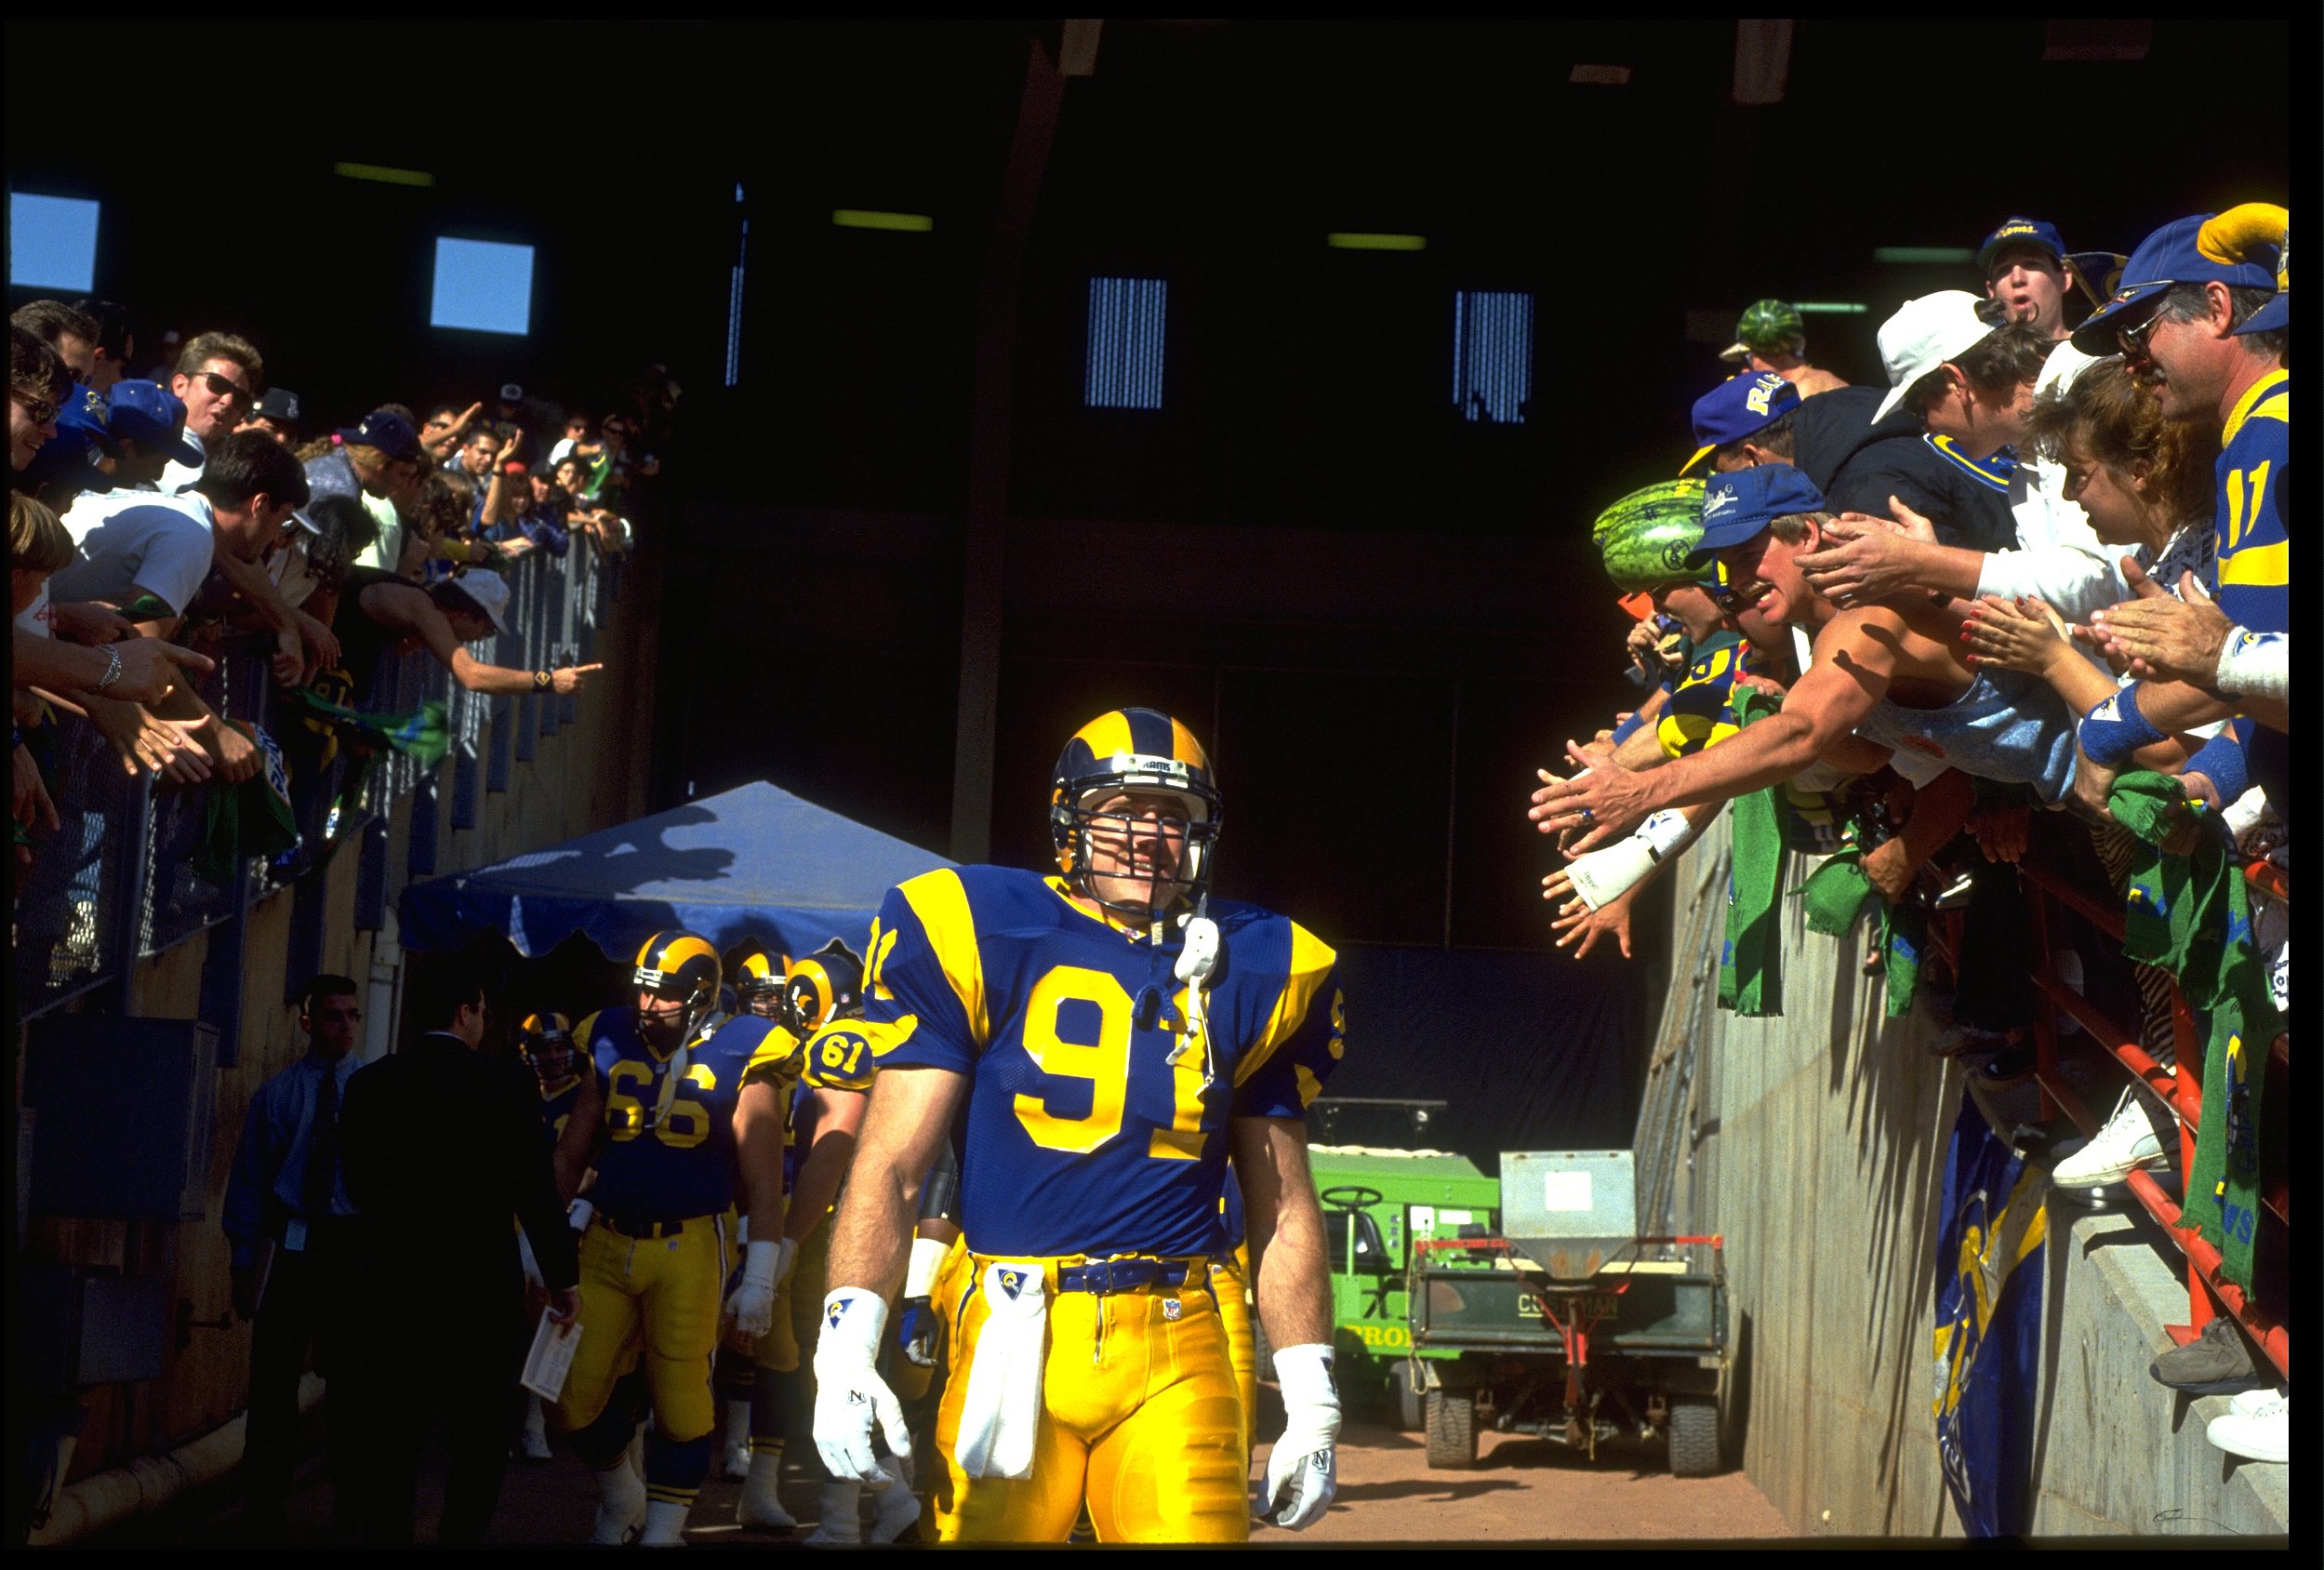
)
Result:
{"points": [[1091, 1127]]}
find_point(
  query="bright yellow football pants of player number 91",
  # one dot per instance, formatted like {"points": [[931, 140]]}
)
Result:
{"points": [[1140, 1422]]}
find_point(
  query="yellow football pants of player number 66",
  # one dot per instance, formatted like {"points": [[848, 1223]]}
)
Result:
{"points": [[654, 1294]]}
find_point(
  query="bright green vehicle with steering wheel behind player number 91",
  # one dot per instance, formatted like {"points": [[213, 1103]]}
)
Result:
{"points": [[1377, 1206]]}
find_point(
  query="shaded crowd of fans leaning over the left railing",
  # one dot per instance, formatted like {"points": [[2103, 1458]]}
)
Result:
{"points": [[155, 520]]}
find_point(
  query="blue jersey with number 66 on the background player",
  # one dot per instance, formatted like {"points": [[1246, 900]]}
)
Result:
{"points": [[668, 1143]]}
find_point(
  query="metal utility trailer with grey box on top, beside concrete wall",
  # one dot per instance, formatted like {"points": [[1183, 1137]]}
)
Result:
{"points": [[1570, 1325]]}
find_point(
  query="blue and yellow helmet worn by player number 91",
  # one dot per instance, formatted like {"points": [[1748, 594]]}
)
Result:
{"points": [[1133, 752]]}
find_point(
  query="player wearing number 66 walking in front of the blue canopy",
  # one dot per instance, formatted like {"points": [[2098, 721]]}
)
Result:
{"points": [[659, 1246]]}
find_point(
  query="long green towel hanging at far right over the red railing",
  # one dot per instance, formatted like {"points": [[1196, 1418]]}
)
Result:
{"points": [[2193, 918]]}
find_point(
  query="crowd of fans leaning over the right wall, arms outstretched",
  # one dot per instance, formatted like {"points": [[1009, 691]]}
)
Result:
{"points": [[2028, 604]]}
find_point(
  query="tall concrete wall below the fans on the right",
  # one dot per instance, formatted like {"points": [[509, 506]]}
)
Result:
{"points": [[1819, 1152]]}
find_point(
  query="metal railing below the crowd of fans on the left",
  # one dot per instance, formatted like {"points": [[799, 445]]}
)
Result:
{"points": [[117, 883]]}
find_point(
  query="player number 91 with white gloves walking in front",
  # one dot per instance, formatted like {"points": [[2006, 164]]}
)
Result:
{"points": [[1112, 1039]]}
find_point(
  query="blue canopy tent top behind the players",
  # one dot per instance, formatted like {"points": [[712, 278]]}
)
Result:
{"points": [[752, 862]]}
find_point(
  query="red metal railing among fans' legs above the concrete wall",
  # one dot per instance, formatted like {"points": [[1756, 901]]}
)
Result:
{"points": [[2183, 1092]]}
